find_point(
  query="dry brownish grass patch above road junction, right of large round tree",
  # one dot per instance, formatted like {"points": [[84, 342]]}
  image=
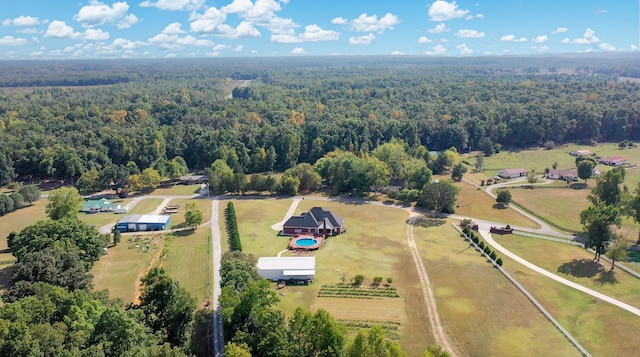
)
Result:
{"points": [[475, 203]]}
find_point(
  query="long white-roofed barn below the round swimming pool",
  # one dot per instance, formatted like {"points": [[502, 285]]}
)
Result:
{"points": [[287, 268]]}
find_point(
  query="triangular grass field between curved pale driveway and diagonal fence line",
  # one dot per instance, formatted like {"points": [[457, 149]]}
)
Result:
{"points": [[601, 328]]}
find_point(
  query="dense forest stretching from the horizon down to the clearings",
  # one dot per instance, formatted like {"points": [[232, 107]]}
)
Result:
{"points": [[61, 119]]}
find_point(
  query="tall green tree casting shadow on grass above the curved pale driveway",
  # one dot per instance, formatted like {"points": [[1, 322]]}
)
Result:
{"points": [[597, 220]]}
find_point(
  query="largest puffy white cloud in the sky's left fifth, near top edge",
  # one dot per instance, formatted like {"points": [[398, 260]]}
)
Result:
{"points": [[98, 13]]}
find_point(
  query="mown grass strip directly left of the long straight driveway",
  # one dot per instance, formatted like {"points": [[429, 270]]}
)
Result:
{"points": [[187, 259]]}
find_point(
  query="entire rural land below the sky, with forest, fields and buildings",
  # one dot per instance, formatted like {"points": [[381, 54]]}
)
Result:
{"points": [[347, 206]]}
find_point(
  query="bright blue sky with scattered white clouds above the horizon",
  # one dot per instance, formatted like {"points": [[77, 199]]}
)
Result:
{"points": [[87, 29]]}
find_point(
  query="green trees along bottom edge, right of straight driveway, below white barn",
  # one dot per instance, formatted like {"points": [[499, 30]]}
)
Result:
{"points": [[253, 327]]}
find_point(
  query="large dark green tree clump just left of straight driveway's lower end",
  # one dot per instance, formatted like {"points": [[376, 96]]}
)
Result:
{"points": [[168, 307]]}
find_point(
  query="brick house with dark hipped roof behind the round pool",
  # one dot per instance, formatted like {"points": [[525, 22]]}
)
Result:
{"points": [[317, 222]]}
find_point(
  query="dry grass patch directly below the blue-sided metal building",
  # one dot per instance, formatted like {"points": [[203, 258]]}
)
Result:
{"points": [[121, 269]]}
